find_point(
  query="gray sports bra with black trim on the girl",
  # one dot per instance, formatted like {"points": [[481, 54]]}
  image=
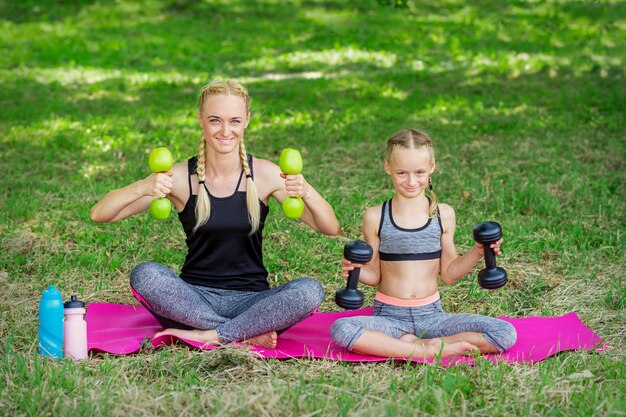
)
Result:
{"points": [[399, 244]]}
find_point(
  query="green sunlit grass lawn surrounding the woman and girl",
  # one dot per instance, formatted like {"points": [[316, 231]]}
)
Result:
{"points": [[524, 99]]}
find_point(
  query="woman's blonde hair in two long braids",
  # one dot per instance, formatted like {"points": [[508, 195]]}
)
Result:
{"points": [[203, 206]]}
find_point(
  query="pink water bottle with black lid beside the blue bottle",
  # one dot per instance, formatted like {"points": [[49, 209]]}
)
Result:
{"points": [[75, 329]]}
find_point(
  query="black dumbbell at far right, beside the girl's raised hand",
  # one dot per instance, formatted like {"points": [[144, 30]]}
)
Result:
{"points": [[492, 277]]}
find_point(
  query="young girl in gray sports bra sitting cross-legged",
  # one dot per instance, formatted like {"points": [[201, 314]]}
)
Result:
{"points": [[412, 236]]}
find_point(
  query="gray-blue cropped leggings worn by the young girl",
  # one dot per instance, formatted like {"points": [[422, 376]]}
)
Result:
{"points": [[425, 322]]}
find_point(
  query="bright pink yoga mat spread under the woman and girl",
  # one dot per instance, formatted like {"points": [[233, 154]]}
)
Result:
{"points": [[121, 329]]}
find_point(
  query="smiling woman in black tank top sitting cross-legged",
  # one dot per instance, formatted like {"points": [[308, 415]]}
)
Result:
{"points": [[221, 195]]}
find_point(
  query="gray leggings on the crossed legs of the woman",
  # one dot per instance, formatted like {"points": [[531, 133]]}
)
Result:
{"points": [[235, 315]]}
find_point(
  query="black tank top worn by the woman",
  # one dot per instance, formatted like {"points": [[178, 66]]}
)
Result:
{"points": [[222, 253]]}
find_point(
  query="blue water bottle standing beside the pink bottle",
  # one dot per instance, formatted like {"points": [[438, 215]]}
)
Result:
{"points": [[51, 323]]}
